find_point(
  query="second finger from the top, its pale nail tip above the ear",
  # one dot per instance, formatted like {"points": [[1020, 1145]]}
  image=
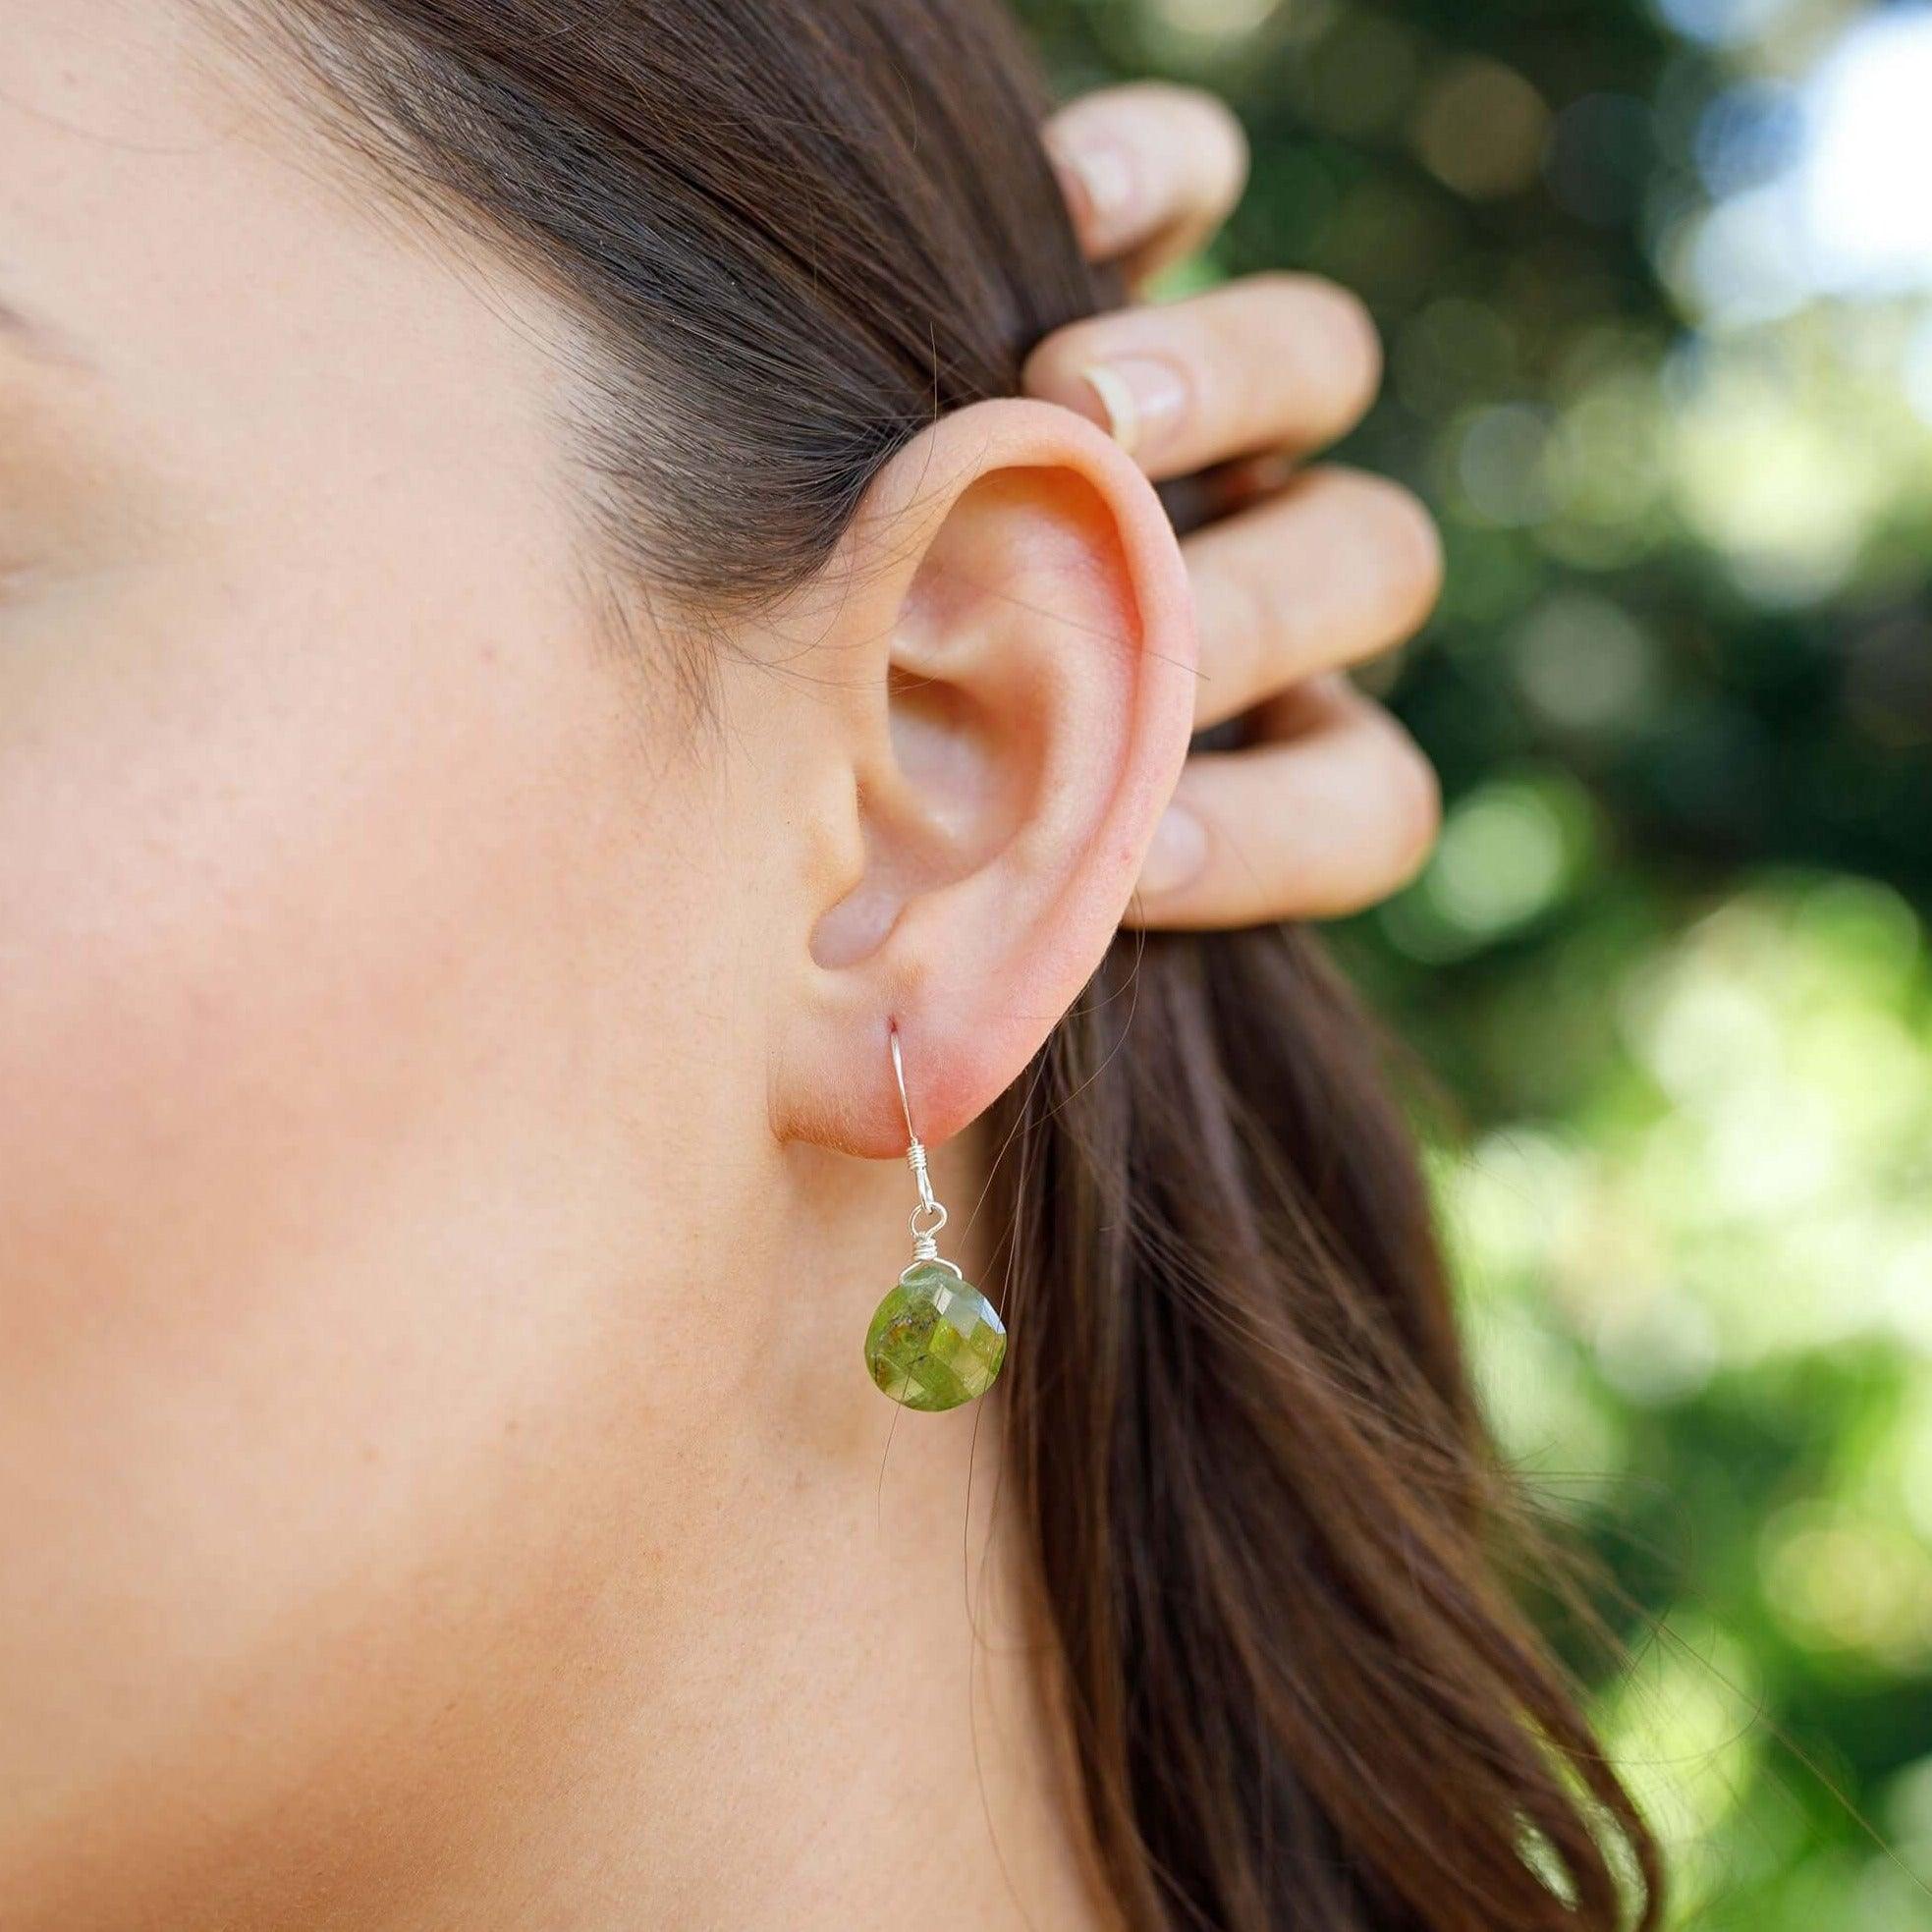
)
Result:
{"points": [[1268, 362]]}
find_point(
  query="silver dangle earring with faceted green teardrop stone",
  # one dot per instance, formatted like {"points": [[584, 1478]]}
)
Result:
{"points": [[936, 1340]]}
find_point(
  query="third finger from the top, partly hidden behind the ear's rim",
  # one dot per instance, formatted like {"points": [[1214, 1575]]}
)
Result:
{"points": [[1334, 569]]}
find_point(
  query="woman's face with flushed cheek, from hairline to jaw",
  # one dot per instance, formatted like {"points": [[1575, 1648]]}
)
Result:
{"points": [[362, 967]]}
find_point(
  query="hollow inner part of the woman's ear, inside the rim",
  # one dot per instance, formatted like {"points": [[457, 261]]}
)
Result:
{"points": [[1025, 567]]}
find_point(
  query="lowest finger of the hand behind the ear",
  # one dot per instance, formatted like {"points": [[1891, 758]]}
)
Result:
{"points": [[1328, 818]]}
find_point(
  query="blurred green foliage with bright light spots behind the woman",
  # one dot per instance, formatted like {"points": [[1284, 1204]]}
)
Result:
{"points": [[1670, 959]]}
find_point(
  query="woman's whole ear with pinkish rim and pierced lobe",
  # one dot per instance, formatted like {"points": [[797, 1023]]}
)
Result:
{"points": [[1013, 700]]}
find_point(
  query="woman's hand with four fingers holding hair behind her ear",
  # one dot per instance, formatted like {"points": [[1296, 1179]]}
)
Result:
{"points": [[1330, 805]]}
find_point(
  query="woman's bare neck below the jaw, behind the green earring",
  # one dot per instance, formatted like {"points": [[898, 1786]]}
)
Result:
{"points": [[770, 1664]]}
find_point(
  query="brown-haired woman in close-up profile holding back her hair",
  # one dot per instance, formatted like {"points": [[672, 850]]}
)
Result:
{"points": [[542, 646]]}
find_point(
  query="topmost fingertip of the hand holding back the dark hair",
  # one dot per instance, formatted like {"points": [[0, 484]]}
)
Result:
{"points": [[1151, 171]]}
